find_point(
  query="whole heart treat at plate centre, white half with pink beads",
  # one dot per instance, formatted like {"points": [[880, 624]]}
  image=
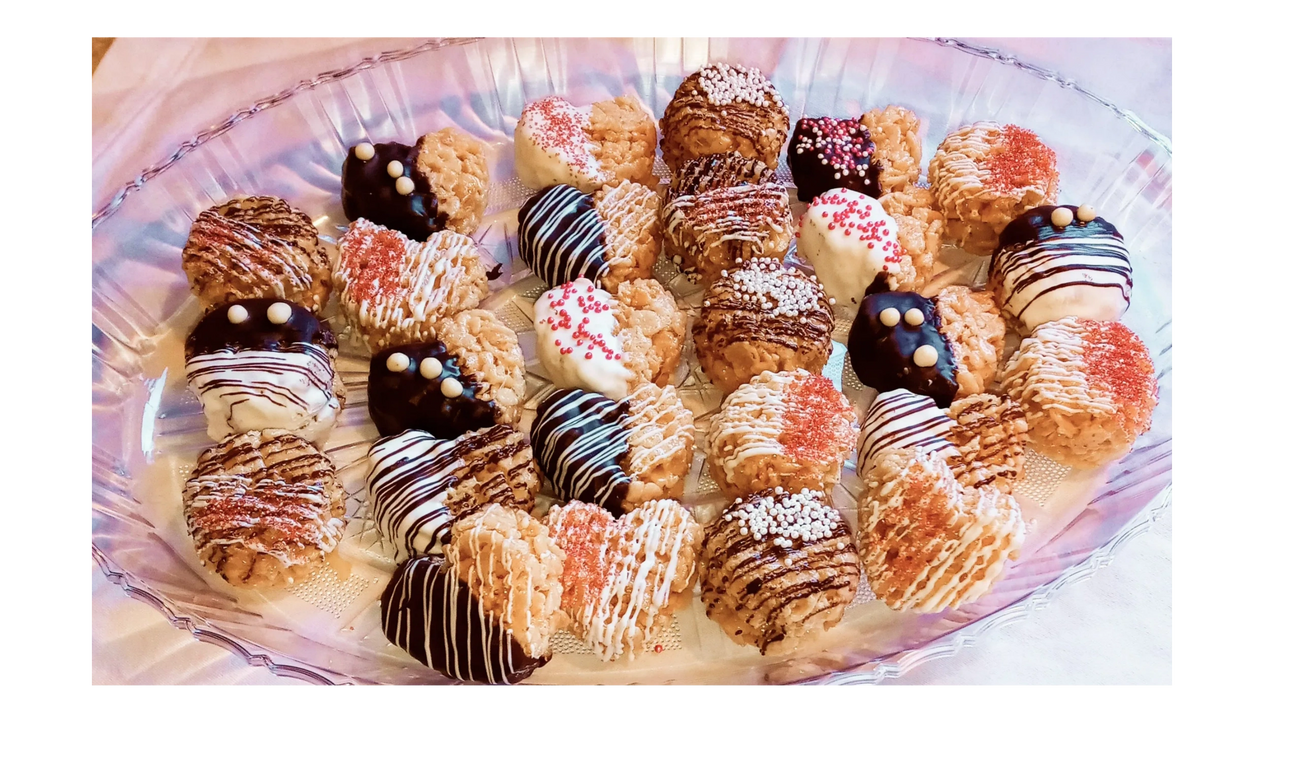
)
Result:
{"points": [[593, 341]]}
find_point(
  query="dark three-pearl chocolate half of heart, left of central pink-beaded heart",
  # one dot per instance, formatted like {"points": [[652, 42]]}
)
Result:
{"points": [[405, 400]]}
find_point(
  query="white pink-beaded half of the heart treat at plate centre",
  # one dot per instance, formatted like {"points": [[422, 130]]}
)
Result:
{"points": [[577, 340]]}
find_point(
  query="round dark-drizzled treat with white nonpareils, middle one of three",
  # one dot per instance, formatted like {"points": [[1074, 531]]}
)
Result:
{"points": [[762, 317]]}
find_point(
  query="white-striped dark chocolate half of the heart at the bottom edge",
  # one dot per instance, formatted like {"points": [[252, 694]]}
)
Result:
{"points": [[436, 618]]}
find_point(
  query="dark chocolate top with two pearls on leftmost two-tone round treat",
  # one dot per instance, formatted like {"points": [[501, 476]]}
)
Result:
{"points": [[215, 331]]}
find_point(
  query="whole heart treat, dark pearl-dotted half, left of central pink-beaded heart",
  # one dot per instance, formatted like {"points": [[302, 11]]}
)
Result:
{"points": [[470, 378]]}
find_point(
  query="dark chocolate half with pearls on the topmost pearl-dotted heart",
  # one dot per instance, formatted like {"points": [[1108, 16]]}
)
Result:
{"points": [[371, 193]]}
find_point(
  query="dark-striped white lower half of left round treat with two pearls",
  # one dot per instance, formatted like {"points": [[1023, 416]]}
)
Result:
{"points": [[291, 389]]}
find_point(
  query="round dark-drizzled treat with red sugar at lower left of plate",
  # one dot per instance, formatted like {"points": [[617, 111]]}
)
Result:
{"points": [[265, 509]]}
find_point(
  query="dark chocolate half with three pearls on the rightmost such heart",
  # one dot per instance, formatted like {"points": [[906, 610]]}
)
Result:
{"points": [[882, 356]]}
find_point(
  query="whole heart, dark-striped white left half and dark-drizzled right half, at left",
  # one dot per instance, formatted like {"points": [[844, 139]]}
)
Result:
{"points": [[419, 486]]}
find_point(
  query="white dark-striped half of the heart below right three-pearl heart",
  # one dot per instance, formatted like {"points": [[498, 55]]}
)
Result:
{"points": [[900, 419]]}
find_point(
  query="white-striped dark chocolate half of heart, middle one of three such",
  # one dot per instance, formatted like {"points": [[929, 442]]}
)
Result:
{"points": [[580, 440]]}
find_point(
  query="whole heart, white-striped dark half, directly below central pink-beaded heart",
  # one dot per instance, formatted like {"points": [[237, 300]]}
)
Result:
{"points": [[616, 454]]}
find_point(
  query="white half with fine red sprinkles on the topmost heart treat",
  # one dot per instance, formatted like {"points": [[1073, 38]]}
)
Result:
{"points": [[553, 146]]}
